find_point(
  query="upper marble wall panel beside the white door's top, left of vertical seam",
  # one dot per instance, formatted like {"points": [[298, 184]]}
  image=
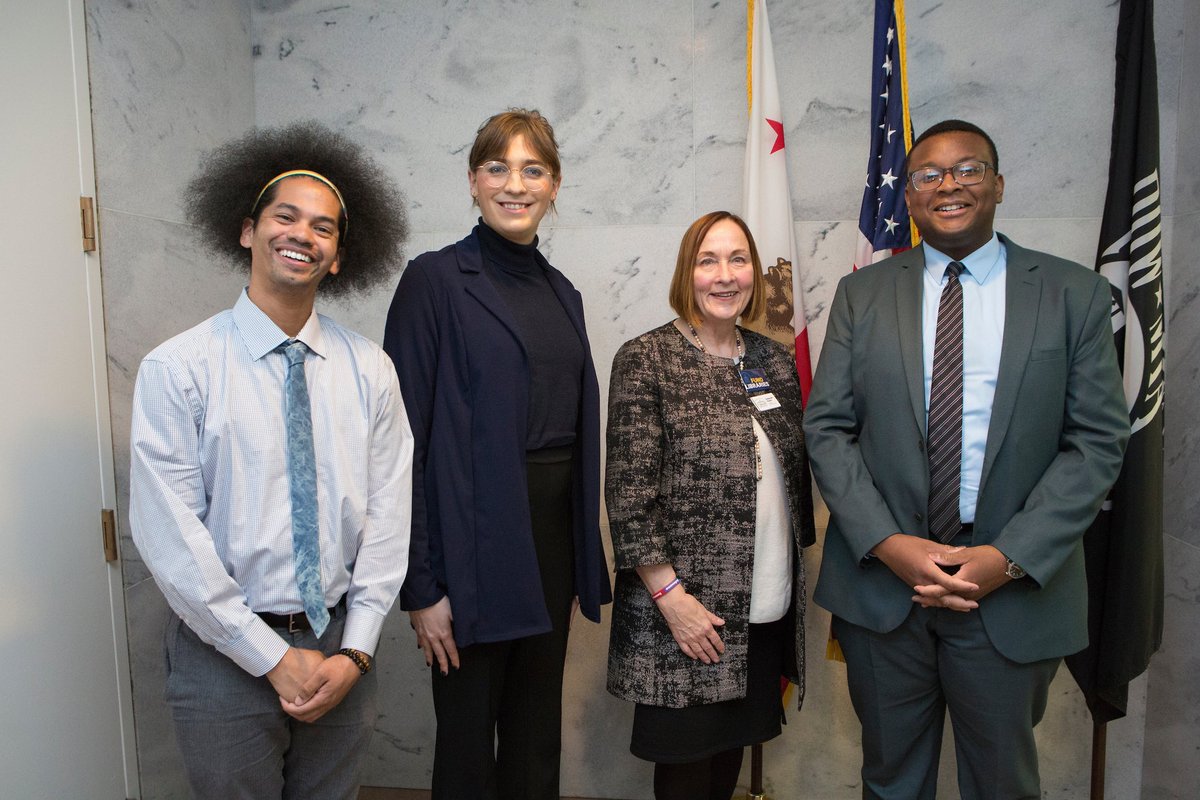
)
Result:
{"points": [[170, 81]]}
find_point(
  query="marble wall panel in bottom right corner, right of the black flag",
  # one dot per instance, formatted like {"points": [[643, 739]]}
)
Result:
{"points": [[1173, 718]]}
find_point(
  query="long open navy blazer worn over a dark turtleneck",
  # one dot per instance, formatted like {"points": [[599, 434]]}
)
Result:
{"points": [[465, 376]]}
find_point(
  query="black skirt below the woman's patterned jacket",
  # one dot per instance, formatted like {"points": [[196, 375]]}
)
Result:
{"points": [[681, 736]]}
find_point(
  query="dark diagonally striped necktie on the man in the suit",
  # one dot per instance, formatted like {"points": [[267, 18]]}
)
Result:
{"points": [[946, 412]]}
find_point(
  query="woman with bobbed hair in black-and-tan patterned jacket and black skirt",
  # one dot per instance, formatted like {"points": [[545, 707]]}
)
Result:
{"points": [[710, 503]]}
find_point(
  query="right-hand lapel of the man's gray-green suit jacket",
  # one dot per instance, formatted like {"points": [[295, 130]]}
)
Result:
{"points": [[1023, 293]]}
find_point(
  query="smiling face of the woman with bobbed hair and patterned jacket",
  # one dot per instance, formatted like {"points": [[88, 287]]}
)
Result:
{"points": [[723, 278]]}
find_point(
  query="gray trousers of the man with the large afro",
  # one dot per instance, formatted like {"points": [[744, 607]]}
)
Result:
{"points": [[237, 741]]}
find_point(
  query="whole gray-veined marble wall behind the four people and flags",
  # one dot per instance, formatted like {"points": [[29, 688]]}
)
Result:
{"points": [[649, 101]]}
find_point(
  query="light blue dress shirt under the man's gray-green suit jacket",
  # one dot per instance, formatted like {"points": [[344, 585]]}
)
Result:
{"points": [[983, 333]]}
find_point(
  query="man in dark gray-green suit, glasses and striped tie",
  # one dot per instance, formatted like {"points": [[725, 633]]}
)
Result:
{"points": [[963, 436]]}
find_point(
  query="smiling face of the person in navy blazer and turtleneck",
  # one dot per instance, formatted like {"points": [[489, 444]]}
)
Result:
{"points": [[514, 210]]}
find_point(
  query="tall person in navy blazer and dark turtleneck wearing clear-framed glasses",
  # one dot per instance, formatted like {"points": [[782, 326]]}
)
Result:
{"points": [[497, 377]]}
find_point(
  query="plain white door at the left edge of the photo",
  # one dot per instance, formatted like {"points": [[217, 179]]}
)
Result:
{"points": [[65, 709]]}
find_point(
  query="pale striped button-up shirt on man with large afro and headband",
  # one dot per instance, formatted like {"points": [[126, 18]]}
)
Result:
{"points": [[209, 506]]}
